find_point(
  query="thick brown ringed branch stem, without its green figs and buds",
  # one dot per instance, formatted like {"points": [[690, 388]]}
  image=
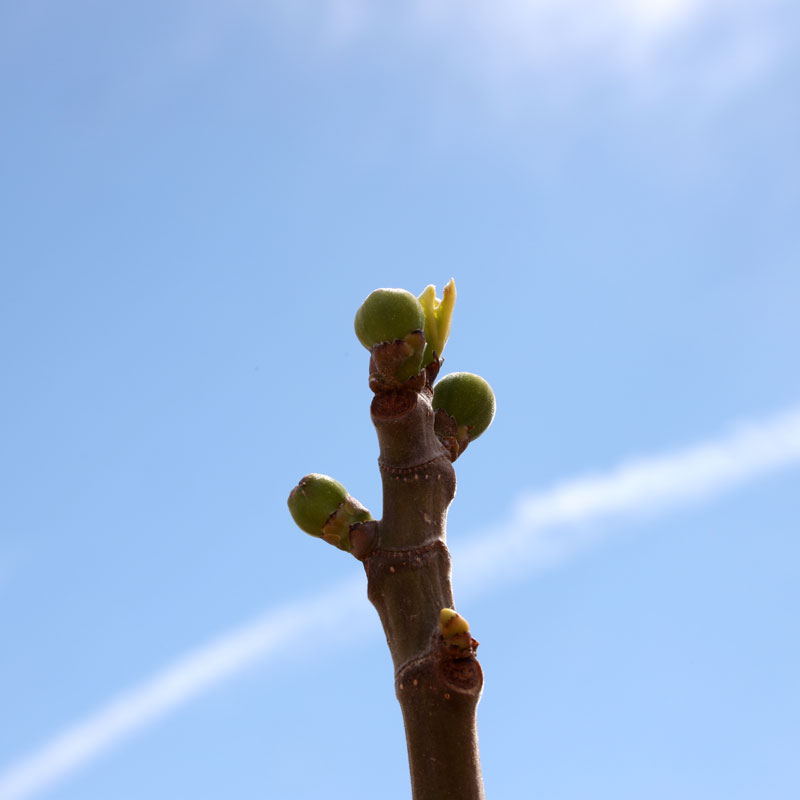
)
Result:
{"points": [[407, 563]]}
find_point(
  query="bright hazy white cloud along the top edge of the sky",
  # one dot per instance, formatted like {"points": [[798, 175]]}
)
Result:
{"points": [[709, 44]]}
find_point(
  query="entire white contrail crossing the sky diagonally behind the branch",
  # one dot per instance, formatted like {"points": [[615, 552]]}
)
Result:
{"points": [[546, 528]]}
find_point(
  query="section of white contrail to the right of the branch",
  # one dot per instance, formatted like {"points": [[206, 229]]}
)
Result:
{"points": [[548, 527]]}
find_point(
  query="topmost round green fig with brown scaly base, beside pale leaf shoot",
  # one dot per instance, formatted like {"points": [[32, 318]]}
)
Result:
{"points": [[390, 324]]}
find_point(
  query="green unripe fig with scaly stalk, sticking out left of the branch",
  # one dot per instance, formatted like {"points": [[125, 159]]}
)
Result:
{"points": [[322, 507]]}
